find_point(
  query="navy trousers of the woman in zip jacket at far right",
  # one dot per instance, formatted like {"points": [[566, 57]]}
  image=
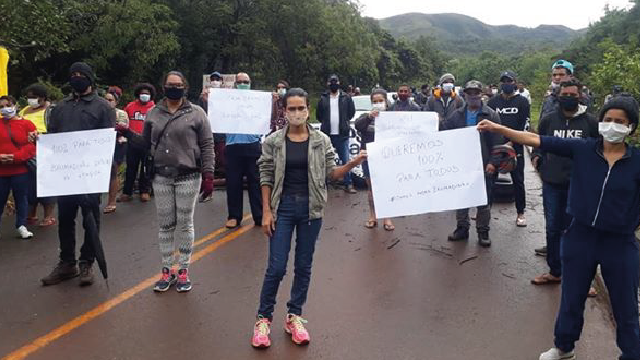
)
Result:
{"points": [[583, 249]]}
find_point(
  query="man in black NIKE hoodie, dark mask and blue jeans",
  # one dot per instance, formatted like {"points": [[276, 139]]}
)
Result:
{"points": [[570, 120]]}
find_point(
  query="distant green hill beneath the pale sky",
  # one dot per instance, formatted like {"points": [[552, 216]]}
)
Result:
{"points": [[464, 35]]}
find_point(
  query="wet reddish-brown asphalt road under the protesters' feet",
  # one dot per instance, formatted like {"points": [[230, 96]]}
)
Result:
{"points": [[407, 294]]}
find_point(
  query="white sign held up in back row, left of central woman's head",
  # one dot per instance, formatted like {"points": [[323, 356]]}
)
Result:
{"points": [[234, 111]]}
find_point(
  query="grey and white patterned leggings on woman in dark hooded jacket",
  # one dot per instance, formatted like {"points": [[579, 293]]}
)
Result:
{"points": [[175, 204]]}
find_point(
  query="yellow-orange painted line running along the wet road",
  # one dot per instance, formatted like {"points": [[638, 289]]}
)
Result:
{"points": [[101, 309]]}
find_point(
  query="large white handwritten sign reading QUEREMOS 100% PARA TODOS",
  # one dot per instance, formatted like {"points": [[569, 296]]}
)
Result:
{"points": [[427, 172]]}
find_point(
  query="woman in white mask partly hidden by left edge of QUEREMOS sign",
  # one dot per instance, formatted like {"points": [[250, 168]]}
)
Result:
{"points": [[366, 128]]}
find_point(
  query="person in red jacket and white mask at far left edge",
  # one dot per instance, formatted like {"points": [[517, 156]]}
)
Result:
{"points": [[15, 151]]}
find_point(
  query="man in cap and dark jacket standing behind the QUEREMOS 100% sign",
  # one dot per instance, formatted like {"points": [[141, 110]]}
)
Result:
{"points": [[470, 115]]}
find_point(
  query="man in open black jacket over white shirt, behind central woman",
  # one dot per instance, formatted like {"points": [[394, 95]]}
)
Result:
{"points": [[334, 111]]}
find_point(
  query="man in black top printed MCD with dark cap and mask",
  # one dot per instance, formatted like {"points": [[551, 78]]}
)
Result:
{"points": [[514, 111]]}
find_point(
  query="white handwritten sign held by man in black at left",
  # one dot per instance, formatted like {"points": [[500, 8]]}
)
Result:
{"points": [[75, 162]]}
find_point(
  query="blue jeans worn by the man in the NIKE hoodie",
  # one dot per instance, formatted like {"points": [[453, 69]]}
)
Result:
{"points": [[554, 202]]}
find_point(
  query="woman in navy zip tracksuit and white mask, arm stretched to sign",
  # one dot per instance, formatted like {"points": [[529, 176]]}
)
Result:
{"points": [[604, 200]]}
